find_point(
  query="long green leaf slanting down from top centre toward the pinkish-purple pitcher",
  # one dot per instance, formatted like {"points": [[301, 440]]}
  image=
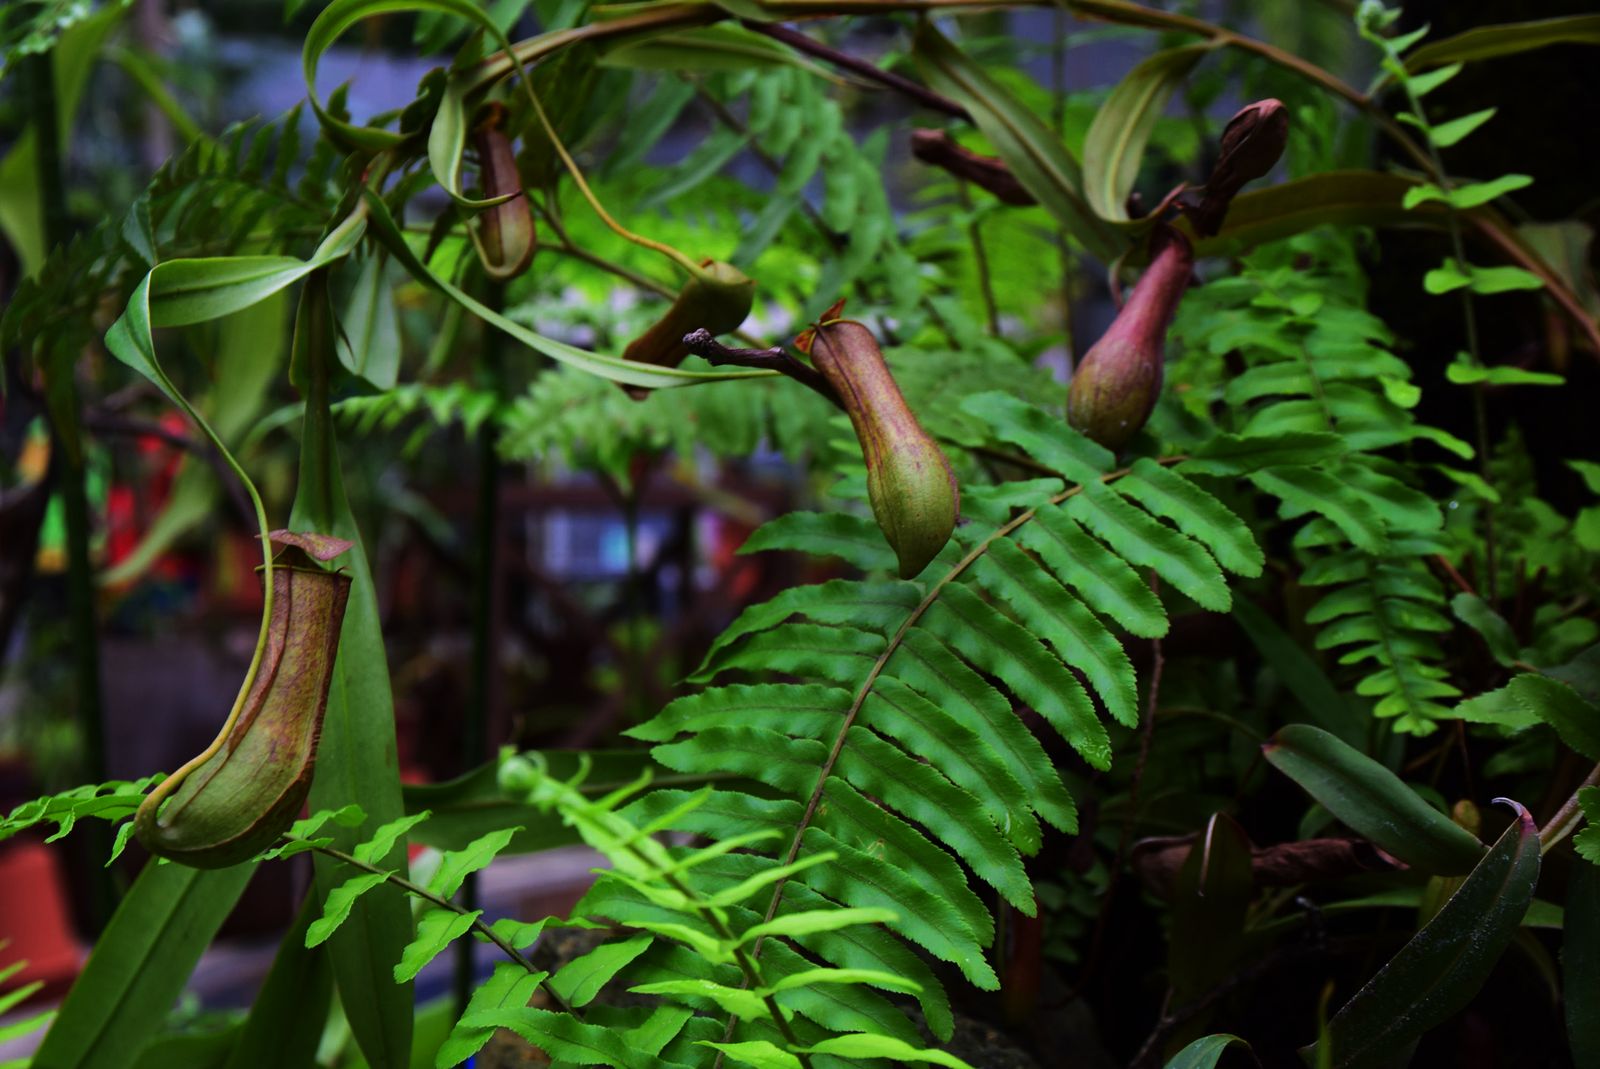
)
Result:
{"points": [[1030, 148]]}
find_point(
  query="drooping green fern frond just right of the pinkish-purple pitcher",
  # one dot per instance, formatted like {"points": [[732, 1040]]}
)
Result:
{"points": [[1318, 362]]}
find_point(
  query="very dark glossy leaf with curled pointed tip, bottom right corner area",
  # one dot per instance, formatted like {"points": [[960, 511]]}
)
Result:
{"points": [[1442, 967]]}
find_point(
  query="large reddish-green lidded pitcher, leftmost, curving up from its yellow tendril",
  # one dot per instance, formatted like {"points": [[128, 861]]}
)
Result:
{"points": [[249, 787]]}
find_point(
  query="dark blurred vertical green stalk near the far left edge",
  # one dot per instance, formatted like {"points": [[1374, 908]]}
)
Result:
{"points": [[65, 415]]}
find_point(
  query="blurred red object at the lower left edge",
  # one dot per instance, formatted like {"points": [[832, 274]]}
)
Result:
{"points": [[34, 924]]}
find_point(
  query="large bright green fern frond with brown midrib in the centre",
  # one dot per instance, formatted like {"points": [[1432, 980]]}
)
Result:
{"points": [[895, 740]]}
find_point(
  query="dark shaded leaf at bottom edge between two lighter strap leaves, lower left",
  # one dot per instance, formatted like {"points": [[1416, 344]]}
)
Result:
{"points": [[289, 1014]]}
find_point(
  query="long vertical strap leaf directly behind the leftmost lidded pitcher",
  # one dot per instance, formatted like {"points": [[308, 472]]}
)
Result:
{"points": [[358, 759]]}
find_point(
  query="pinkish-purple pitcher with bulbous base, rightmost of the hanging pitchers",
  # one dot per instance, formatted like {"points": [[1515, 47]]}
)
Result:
{"points": [[1119, 380]]}
